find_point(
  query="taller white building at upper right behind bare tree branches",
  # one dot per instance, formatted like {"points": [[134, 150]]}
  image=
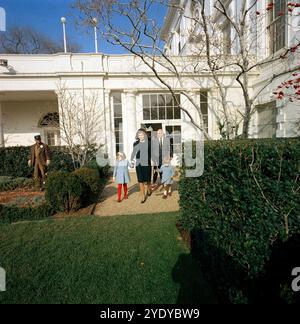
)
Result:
{"points": [[274, 30]]}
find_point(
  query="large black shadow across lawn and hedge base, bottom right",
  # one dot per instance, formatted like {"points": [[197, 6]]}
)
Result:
{"points": [[225, 276]]}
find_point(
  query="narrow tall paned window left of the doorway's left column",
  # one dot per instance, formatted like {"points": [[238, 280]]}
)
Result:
{"points": [[118, 121]]}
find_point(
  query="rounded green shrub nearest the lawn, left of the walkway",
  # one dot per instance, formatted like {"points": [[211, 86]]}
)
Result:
{"points": [[65, 192]]}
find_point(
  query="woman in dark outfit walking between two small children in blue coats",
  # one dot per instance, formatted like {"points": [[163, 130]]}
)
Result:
{"points": [[142, 154]]}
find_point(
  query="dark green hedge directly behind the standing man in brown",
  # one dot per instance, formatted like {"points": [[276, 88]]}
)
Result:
{"points": [[13, 161]]}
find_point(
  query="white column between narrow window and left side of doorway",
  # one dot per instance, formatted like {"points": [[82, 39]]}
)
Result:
{"points": [[129, 120]]}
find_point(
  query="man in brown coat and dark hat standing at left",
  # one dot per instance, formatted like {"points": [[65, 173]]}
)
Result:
{"points": [[39, 158]]}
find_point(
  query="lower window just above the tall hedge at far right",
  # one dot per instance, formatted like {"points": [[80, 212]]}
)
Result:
{"points": [[267, 120]]}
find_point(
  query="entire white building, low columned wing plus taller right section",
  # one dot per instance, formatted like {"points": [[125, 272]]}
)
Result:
{"points": [[130, 96]]}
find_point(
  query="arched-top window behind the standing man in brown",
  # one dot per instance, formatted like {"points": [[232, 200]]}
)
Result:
{"points": [[50, 127]]}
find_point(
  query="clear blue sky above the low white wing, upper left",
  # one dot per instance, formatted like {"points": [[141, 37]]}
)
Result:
{"points": [[44, 16]]}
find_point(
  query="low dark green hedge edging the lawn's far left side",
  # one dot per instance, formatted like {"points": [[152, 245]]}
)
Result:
{"points": [[11, 214]]}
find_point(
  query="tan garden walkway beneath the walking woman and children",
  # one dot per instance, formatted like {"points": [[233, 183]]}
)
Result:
{"points": [[108, 205]]}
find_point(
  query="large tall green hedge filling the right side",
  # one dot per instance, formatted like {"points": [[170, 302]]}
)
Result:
{"points": [[246, 202]]}
